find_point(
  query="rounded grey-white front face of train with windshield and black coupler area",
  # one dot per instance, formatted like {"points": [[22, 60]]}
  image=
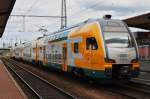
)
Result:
{"points": [[121, 50]]}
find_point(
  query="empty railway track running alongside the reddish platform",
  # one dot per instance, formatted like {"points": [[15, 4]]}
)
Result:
{"points": [[40, 87]]}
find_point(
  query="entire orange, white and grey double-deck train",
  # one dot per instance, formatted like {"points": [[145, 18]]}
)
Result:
{"points": [[101, 48]]}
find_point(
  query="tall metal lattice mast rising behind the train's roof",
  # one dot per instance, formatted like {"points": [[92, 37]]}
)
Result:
{"points": [[63, 15]]}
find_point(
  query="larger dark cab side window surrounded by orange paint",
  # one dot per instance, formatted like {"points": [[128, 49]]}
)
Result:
{"points": [[91, 44]]}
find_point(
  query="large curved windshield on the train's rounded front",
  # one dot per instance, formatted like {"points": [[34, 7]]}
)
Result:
{"points": [[117, 35]]}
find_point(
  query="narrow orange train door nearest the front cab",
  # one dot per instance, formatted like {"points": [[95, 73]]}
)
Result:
{"points": [[64, 62]]}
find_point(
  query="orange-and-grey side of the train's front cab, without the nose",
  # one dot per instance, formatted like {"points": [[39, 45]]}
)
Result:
{"points": [[86, 52]]}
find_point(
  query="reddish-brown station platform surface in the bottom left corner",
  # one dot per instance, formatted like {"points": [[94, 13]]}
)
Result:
{"points": [[9, 89]]}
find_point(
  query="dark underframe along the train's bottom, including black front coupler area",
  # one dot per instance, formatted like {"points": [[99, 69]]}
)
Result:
{"points": [[117, 72]]}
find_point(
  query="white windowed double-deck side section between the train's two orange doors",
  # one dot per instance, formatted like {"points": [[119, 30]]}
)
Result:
{"points": [[54, 54]]}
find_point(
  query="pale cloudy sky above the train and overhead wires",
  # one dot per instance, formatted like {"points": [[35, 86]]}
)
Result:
{"points": [[77, 11]]}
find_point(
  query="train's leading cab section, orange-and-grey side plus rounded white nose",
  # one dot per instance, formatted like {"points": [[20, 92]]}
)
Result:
{"points": [[103, 48]]}
